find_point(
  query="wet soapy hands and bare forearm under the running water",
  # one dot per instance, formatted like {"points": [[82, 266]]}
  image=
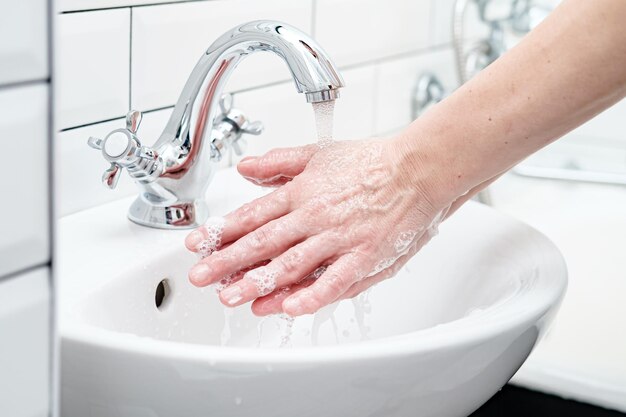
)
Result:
{"points": [[361, 209]]}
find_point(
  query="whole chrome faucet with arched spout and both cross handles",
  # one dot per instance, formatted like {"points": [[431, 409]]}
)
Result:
{"points": [[173, 174]]}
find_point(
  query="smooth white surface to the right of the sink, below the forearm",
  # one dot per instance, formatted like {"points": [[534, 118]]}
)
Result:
{"points": [[584, 355]]}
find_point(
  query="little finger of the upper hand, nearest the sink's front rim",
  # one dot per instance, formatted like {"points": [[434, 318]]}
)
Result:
{"points": [[337, 278]]}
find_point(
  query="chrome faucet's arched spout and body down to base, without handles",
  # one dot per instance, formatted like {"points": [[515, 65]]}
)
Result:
{"points": [[186, 150]]}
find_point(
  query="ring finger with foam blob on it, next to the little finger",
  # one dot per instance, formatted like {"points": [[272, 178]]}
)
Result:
{"points": [[286, 269]]}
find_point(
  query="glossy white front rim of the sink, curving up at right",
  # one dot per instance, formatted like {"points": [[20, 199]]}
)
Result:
{"points": [[520, 310]]}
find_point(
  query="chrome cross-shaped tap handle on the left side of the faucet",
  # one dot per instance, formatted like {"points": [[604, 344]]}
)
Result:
{"points": [[123, 149]]}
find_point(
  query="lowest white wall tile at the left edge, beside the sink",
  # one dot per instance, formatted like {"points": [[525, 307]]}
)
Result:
{"points": [[25, 335]]}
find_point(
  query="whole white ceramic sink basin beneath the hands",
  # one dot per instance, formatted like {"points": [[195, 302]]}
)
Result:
{"points": [[439, 339]]}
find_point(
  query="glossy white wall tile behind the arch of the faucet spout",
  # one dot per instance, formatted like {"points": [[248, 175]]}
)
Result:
{"points": [[169, 39]]}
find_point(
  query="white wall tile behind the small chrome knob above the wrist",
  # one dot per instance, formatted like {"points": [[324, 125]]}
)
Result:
{"points": [[396, 84]]}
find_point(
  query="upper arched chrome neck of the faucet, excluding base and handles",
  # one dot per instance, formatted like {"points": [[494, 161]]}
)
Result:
{"points": [[192, 119]]}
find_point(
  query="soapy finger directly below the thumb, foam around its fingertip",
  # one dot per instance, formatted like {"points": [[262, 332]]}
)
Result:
{"points": [[220, 230]]}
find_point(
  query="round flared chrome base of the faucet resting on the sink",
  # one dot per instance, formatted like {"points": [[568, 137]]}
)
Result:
{"points": [[182, 215]]}
